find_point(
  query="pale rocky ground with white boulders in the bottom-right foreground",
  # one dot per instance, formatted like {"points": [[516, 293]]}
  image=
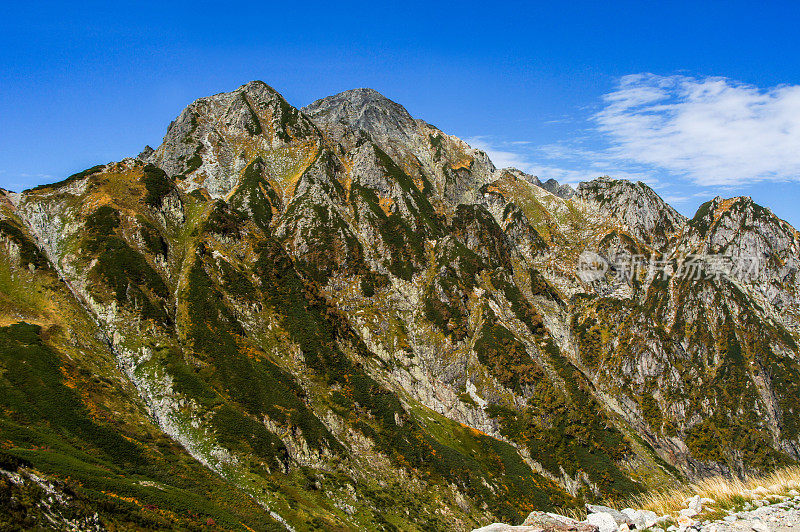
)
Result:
{"points": [[765, 511]]}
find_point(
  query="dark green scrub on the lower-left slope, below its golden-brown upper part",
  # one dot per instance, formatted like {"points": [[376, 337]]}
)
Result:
{"points": [[130, 479]]}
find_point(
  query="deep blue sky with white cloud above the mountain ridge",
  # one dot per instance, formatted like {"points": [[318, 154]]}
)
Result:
{"points": [[695, 98]]}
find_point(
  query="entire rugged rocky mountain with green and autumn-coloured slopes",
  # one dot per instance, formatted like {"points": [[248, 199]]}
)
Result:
{"points": [[342, 318]]}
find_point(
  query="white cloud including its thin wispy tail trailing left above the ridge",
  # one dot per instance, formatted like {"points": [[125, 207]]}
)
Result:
{"points": [[672, 132]]}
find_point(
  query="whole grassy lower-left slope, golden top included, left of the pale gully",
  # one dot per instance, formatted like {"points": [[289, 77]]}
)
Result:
{"points": [[71, 415]]}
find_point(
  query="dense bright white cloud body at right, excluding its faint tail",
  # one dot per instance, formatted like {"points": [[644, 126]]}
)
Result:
{"points": [[713, 131]]}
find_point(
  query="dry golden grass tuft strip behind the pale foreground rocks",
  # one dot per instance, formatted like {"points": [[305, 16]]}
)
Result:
{"points": [[726, 492]]}
